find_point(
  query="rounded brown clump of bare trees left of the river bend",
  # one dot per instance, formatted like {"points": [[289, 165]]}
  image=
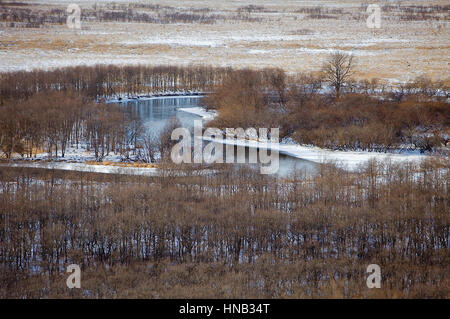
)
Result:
{"points": [[52, 121]]}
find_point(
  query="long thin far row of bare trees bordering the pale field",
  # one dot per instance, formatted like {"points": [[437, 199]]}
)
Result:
{"points": [[109, 80]]}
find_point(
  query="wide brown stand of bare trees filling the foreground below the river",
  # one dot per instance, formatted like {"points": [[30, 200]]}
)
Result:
{"points": [[235, 234]]}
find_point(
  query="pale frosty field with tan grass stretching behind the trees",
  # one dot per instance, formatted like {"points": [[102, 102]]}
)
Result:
{"points": [[272, 34]]}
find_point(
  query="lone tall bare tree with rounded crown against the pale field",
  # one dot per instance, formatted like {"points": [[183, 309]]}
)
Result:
{"points": [[338, 69]]}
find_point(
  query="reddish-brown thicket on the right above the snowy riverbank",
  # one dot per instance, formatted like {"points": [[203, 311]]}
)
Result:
{"points": [[369, 116]]}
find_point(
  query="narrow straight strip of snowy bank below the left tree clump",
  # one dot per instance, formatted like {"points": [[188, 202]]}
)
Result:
{"points": [[82, 167]]}
